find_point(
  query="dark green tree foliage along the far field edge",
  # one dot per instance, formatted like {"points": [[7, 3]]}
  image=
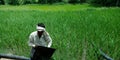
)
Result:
{"points": [[93, 2]]}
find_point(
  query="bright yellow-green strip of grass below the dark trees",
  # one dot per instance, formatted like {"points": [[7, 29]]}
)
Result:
{"points": [[66, 7]]}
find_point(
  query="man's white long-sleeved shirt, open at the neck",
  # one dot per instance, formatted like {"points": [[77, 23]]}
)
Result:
{"points": [[45, 40]]}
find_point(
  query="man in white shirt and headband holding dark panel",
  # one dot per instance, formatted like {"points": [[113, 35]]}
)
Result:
{"points": [[39, 38]]}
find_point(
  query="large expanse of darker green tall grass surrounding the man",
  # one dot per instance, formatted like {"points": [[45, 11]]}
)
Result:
{"points": [[68, 30]]}
